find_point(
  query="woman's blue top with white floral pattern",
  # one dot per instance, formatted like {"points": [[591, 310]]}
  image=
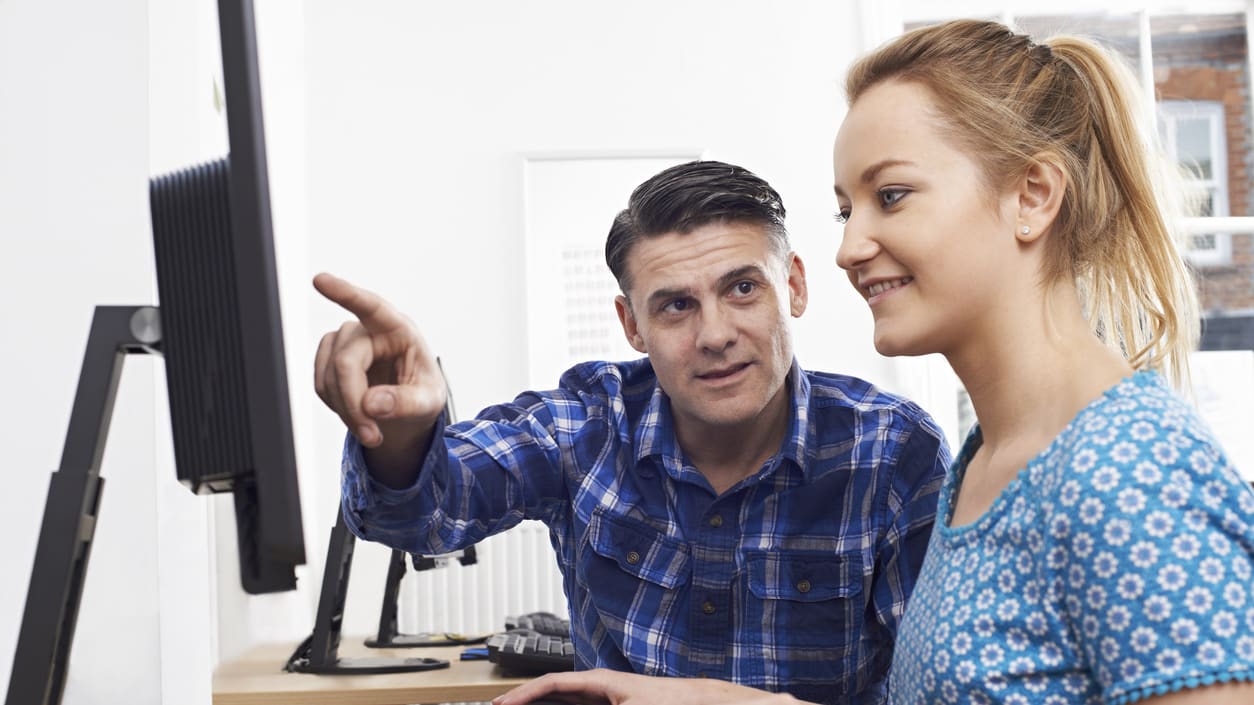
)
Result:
{"points": [[1117, 566]]}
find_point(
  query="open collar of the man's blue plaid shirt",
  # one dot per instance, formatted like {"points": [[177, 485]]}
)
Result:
{"points": [[655, 435]]}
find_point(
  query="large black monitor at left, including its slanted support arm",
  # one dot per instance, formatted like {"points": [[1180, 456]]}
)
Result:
{"points": [[220, 329]]}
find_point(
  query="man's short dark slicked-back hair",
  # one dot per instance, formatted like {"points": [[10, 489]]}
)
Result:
{"points": [[689, 196]]}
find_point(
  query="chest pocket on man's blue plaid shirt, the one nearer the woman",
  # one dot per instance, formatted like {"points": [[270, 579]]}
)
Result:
{"points": [[813, 599]]}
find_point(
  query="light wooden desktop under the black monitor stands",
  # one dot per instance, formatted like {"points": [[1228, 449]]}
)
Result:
{"points": [[258, 678]]}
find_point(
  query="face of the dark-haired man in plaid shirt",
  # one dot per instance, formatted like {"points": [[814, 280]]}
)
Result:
{"points": [[712, 310]]}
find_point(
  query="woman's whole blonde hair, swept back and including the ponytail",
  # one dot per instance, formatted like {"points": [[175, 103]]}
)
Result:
{"points": [[1010, 102]]}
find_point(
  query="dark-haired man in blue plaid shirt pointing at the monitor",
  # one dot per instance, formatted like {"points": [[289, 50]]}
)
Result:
{"points": [[717, 510]]}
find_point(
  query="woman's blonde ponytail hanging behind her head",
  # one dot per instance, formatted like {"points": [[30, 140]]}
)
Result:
{"points": [[1132, 273]]}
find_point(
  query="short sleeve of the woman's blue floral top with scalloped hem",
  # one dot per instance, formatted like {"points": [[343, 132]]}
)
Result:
{"points": [[1149, 539]]}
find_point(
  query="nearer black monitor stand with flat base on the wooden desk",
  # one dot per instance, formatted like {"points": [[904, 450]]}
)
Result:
{"points": [[319, 653]]}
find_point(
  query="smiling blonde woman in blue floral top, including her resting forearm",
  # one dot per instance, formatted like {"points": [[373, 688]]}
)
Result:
{"points": [[1093, 543]]}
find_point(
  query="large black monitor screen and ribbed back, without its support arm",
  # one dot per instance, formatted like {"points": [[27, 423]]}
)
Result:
{"points": [[223, 333]]}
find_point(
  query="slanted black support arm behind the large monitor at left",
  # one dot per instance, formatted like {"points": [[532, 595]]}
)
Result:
{"points": [[56, 591]]}
